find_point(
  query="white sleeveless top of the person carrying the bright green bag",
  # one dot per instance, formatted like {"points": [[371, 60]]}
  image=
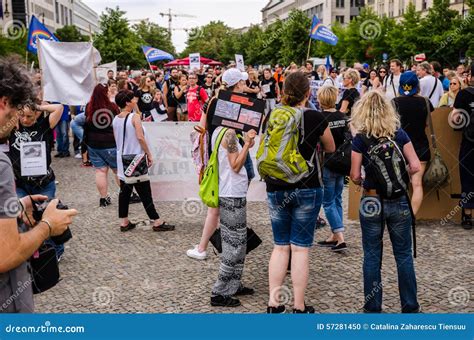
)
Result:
{"points": [[231, 184]]}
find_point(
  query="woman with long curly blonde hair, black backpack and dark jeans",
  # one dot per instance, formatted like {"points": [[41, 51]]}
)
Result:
{"points": [[377, 127]]}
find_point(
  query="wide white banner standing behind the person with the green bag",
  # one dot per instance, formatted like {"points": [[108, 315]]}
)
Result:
{"points": [[173, 175]]}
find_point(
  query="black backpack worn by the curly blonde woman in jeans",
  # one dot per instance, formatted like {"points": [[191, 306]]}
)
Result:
{"points": [[387, 167]]}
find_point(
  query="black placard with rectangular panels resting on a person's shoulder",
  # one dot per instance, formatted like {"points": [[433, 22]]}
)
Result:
{"points": [[238, 111]]}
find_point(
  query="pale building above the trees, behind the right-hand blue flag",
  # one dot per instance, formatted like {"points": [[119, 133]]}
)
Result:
{"points": [[328, 11]]}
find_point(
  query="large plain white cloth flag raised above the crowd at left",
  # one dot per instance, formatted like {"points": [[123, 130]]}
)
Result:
{"points": [[68, 71]]}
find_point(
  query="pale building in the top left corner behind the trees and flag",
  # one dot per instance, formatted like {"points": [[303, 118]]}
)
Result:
{"points": [[53, 13]]}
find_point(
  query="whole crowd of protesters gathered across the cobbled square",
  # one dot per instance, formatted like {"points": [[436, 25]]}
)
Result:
{"points": [[334, 106]]}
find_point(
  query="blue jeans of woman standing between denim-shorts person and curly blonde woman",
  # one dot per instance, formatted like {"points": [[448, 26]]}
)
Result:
{"points": [[332, 199]]}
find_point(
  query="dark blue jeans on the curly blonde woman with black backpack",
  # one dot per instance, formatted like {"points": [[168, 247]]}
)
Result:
{"points": [[397, 216]]}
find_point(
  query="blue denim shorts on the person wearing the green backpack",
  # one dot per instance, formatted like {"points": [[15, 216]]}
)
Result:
{"points": [[293, 214]]}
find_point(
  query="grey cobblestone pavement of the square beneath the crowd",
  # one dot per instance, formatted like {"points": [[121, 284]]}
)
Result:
{"points": [[106, 271]]}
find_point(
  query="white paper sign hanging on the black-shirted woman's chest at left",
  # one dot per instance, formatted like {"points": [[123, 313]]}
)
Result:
{"points": [[33, 159]]}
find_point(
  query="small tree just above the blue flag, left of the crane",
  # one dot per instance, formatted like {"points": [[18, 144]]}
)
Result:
{"points": [[154, 35]]}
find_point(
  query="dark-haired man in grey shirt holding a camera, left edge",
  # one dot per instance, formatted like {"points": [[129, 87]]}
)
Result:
{"points": [[17, 247]]}
